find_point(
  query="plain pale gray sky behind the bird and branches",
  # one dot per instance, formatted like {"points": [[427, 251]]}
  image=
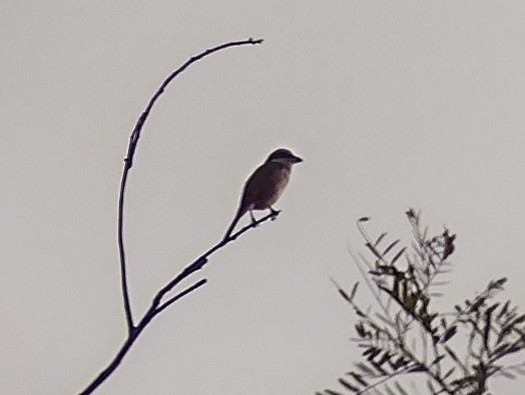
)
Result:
{"points": [[391, 104]]}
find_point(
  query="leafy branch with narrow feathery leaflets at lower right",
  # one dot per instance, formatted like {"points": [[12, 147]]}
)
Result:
{"points": [[404, 335]]}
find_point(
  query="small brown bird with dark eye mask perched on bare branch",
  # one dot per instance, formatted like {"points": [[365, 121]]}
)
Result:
{"points": [[265, 185]]}
